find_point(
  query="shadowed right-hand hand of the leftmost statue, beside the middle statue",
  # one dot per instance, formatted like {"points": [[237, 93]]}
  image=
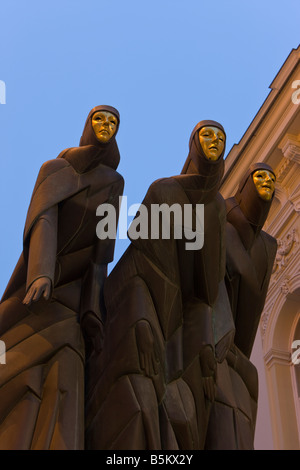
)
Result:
{"points": [[92, 330]]}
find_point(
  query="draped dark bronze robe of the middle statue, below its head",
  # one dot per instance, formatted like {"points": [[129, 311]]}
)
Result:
{"points": [[160, 301]]}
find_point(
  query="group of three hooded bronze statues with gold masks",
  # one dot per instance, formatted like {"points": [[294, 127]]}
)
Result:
{"points": [[155, 355]]}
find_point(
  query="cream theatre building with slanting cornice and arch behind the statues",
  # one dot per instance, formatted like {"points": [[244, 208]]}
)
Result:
{"points": [[273, 137]]}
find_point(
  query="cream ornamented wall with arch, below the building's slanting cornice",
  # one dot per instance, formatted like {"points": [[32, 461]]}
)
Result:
{"points": [[282, 307]]}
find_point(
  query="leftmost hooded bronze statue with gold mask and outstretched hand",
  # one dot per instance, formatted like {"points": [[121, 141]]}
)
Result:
{"points": [[51, 313]]}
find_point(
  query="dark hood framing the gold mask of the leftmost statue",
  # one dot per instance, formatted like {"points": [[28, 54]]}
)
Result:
{"points": [[91, 151]]}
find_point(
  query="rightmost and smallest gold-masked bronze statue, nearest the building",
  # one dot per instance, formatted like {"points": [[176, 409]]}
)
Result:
{"points": [[249, 261]]}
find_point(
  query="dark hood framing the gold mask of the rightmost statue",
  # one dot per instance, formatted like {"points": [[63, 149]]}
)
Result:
{"points": [[255, 207]]}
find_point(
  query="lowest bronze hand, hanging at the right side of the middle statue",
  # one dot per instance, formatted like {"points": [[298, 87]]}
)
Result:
{"points": [[208, 367]]}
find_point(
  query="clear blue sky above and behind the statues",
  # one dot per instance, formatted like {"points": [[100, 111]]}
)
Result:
{"points": [[165, 64]]}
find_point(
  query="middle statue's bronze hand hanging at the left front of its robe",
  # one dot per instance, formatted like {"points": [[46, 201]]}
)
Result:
{"points": [[146, 348]]}
